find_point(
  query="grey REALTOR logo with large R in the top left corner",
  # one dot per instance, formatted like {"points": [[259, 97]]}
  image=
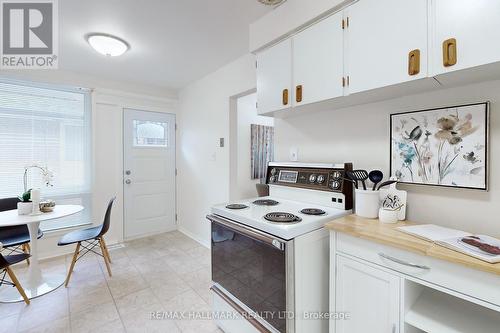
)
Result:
{"points": [[29, 34]]}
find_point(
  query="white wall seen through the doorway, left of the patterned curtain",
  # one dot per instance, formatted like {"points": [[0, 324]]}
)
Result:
{"points": [[246, 115]]}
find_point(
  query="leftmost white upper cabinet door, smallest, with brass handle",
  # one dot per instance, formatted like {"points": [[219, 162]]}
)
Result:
{"points": [[274, 78]]}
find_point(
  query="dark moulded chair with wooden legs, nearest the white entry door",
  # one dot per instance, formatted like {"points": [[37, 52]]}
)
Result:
{"points": [[90, 238]]}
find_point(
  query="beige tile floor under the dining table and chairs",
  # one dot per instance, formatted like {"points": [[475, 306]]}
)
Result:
{"points": [[168, 272]]}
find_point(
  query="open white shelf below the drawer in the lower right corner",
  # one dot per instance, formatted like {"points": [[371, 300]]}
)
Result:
{"points": [[433, 311]]}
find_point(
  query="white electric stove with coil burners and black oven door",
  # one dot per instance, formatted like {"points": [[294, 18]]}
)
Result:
{"points": [[270, 254]]}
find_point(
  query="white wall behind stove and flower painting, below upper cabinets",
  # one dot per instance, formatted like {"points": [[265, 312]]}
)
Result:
{"points": [[360, 135]]}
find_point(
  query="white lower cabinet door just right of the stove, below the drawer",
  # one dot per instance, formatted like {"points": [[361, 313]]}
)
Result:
{"points": [[369, 295]]}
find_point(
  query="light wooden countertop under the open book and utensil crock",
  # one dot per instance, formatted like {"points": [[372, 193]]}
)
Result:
{"points": [[373, 230]]}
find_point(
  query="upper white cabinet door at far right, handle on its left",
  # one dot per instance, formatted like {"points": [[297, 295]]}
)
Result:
{"points": [[473, 25]]}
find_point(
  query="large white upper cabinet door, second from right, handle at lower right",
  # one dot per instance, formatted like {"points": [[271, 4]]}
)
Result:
{"points": [[386, 43]]}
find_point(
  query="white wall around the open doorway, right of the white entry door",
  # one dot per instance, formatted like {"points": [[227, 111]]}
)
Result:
{"points": [[203, 118]]}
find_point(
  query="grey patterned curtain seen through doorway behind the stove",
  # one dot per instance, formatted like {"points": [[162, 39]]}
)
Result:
{"points": [[262, 149]]}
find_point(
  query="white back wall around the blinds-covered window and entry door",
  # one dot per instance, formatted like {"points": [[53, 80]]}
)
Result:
{"points": [[108, 101]]}
